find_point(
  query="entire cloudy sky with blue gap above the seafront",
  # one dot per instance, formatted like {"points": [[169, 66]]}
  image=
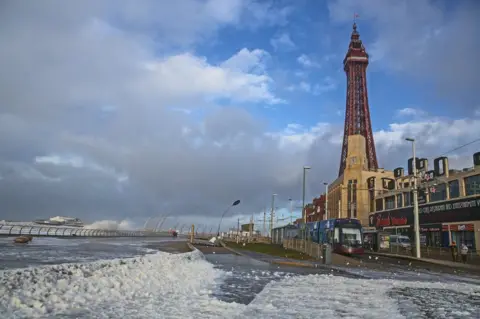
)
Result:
{"points": [[133, 109]]}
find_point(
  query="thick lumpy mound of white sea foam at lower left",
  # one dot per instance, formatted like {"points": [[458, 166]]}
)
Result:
{"points": [[139, 287]]}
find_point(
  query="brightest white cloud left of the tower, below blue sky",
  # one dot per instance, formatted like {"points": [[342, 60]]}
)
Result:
{"points": [[185, 75]]}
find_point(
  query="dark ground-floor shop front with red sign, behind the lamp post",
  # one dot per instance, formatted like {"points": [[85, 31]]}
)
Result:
{"points": [[440, 222]]}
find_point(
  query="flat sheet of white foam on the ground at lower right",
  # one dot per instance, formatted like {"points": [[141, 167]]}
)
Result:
{"points": [[327, 296]]}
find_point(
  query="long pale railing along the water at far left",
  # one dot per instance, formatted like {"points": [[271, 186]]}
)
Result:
{"points": [[52, 231]]}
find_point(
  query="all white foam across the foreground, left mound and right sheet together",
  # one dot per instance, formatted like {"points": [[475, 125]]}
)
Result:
{"points": [[181, 286]]}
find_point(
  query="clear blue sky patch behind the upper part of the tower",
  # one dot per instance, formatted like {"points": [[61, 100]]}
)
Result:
{"points": [[311, 32]]}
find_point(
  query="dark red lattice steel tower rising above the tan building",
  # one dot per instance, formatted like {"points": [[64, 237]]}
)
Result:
{"points": [[357, 114]]}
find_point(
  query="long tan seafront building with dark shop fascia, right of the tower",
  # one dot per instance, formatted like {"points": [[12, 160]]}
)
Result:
{"points": [[449, 203]]}
